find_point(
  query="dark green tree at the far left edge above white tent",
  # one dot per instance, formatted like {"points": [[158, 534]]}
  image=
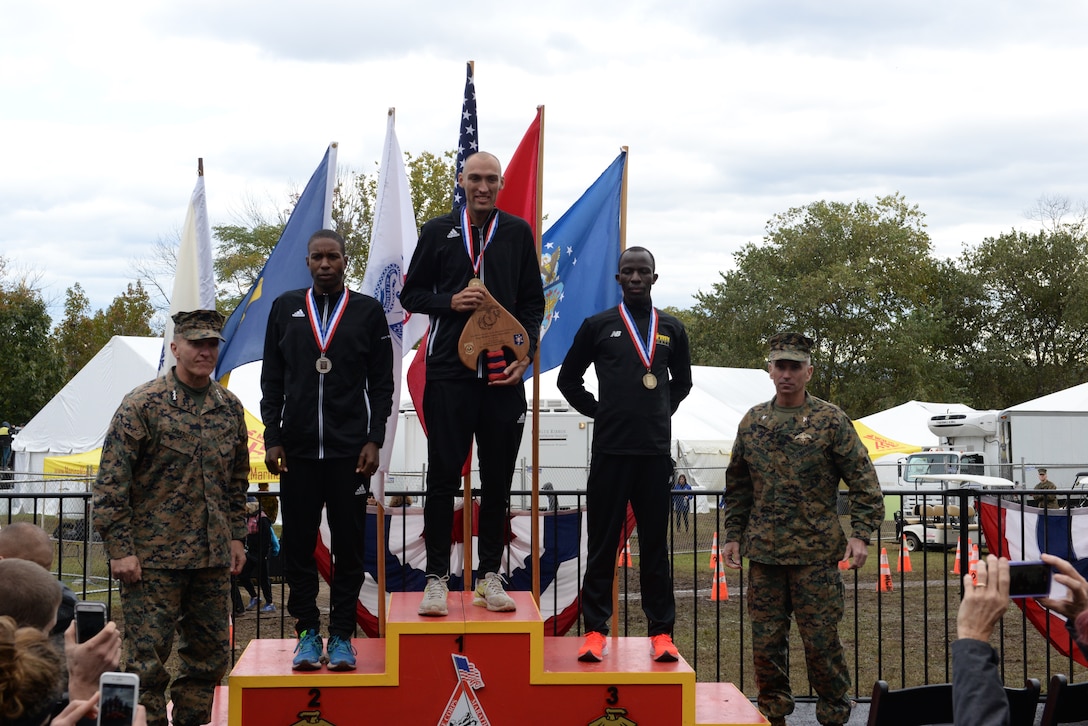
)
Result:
{"points": [[31, 368]]}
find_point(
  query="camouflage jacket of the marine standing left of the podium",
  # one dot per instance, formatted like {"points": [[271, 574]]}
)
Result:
{"points": [[172, 483]]}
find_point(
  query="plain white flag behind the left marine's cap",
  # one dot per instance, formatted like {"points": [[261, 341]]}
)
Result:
{"points": [[194, 276]]}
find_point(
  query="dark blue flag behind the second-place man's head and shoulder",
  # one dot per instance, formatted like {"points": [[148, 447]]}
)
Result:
{"points": [[285, 270]]}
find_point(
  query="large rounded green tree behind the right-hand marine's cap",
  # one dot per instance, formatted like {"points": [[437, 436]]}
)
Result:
{"points": [[859, 278]]}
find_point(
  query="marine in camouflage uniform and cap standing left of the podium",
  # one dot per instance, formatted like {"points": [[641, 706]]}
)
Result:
{"points": [[170, 503]]}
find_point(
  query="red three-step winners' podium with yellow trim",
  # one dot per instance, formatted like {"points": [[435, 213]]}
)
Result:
{"points": [[475, 669]]}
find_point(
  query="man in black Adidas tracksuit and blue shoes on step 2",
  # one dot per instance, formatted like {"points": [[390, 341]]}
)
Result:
{"points": [[325, 424]]}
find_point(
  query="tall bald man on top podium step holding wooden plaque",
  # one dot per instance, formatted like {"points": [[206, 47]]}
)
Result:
{"points": [[477, 243]]}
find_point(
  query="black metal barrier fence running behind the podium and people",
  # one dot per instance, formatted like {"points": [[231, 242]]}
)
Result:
{"points": [[900, 634]]}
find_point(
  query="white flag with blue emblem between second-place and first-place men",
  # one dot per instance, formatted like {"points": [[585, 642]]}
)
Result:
{"points": [[391, 247]]}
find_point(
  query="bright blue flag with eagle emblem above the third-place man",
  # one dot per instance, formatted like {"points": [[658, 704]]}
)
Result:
{"points": [[579, 263]]}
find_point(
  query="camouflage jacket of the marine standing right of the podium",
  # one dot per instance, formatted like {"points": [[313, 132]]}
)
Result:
{"points": [[783, 486]]}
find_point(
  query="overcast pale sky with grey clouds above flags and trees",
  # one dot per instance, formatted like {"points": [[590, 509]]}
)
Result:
{"points": [[734, 113]]}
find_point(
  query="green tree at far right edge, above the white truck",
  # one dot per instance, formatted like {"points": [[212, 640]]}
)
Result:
{"points": [[1033, 317]]}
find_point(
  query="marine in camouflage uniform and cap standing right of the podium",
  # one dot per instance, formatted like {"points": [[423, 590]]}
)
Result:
{"points": [[782, 498]]}
